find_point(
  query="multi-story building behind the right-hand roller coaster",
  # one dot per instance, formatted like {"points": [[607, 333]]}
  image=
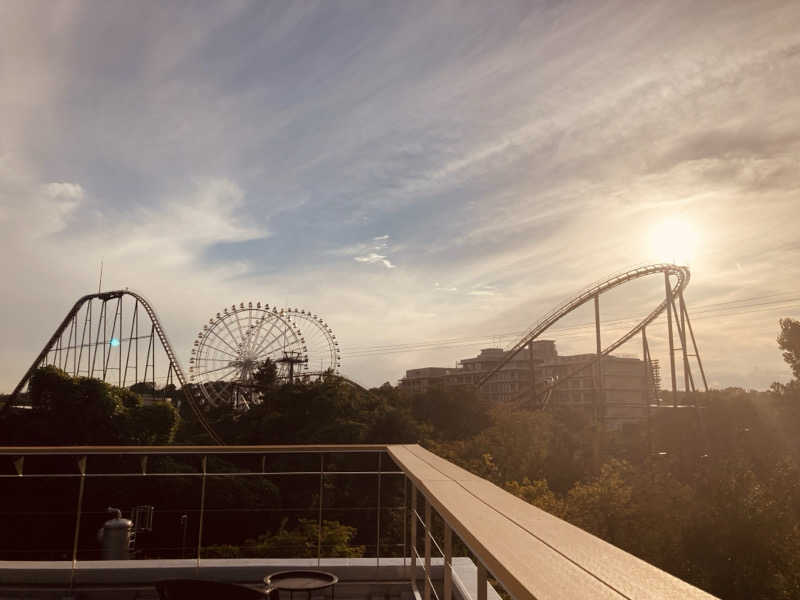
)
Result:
{"points": [[617, 387]]}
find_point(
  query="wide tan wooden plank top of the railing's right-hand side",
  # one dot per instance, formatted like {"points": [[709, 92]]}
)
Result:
{"points": [[544, 557]]}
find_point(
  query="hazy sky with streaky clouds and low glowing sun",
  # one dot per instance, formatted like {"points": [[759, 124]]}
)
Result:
{"points": [[430, 177]]}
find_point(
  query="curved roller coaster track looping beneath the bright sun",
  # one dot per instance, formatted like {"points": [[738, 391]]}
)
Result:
{"points": [[682, 277]]}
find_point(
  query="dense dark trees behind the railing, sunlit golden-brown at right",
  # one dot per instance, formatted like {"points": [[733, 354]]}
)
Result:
{"points": [[711, 494]]}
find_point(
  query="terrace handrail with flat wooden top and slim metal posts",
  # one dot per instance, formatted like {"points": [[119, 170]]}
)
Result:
{"points": [[532, 554]]}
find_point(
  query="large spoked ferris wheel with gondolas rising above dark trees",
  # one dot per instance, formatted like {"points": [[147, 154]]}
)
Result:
{"points": [[233, 345]]}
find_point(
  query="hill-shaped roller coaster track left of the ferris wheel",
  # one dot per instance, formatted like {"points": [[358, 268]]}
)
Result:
{"points": [[157, 329]]}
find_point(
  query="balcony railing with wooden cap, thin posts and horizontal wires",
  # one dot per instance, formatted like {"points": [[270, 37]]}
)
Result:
{"points": [[426, 511]]}
